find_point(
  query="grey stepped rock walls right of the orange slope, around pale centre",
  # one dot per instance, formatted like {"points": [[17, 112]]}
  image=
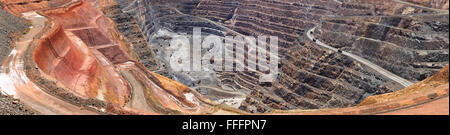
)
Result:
{"points": [[312, 77]]}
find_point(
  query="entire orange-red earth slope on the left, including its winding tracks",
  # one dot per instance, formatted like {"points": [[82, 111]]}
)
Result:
{"points": [[81, 58]]}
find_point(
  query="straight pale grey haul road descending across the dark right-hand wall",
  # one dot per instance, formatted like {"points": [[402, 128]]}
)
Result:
{"points": [[366, 62]]}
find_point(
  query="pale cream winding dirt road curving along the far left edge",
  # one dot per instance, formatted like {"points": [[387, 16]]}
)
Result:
{"points": [[19, 85]]}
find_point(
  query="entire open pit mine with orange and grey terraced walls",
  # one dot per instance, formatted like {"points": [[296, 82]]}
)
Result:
{"points": [[109, 57]]}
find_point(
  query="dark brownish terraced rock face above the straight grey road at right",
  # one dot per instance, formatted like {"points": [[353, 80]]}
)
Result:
{"points": [[413, 47]]}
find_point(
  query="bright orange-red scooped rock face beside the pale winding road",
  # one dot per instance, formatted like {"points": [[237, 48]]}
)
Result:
{"points": [[74, 63]]}
